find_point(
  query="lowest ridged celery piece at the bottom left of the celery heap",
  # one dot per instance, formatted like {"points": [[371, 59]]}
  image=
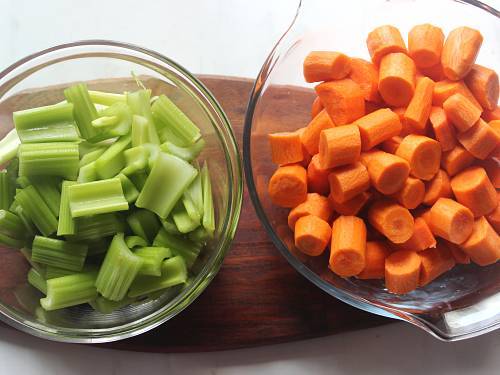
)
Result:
{"points": [[69, 291]]}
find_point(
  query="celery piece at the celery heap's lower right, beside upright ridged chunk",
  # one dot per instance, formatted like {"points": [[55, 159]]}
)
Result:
{"points": [[173, 272]]}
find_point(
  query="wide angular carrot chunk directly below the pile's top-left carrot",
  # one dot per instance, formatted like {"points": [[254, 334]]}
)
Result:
{"points": [[342, 99]]}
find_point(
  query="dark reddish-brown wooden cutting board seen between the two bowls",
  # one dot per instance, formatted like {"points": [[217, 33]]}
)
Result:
{"points": [[257, 298]]}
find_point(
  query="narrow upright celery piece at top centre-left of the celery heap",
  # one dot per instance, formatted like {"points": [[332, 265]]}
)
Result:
{"points": [[84, 111]]}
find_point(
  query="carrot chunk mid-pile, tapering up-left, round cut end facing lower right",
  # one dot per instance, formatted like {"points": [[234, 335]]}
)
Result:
{"points": [[388, 172]]}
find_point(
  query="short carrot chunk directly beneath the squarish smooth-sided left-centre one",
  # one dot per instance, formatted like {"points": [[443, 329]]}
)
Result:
{"points": [[348, 181]]}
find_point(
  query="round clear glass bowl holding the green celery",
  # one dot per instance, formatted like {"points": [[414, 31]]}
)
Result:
{"points": [[40, 79]]}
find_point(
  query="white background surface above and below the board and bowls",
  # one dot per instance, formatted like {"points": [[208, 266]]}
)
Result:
{"points": [[213, 37]]}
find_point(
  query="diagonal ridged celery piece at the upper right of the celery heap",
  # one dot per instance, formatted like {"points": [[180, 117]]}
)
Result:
{"points": [[175, 126]]}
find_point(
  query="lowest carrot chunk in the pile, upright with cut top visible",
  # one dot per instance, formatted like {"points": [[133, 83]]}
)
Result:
{"points": [[402, 271]]}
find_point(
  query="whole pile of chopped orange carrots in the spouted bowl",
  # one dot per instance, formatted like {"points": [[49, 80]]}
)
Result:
{"points": [[398, 169]]}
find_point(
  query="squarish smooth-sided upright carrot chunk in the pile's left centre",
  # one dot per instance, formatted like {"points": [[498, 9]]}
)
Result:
{"points": [[339, 146]]}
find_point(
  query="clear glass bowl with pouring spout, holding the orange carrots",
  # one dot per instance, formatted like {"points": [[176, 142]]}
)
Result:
{"points": [[462, 303]]}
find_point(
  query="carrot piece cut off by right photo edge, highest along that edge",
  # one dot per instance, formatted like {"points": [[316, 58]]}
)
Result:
{"points": [[483, 83]]}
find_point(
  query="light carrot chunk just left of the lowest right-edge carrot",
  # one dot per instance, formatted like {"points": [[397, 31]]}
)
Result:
{"points": [[451, 220]]}
